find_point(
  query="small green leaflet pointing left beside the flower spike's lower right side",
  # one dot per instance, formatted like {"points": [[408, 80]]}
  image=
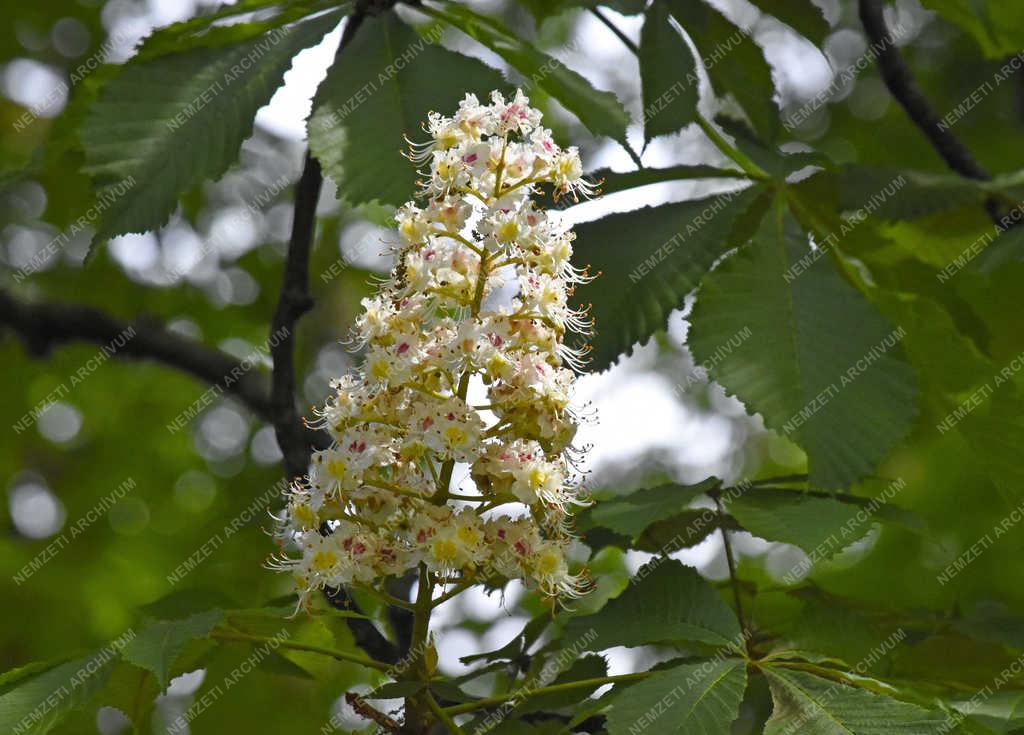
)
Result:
{"points": [[631, 515]]}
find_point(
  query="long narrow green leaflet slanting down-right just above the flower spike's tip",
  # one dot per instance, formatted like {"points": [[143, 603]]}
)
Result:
{"points": [[601, 112]]}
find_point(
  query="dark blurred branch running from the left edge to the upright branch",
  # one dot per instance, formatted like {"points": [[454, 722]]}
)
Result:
{"points": [[46, 326]]}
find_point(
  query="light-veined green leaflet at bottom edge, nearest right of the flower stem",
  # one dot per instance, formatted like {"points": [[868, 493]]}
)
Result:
{"points": [[690, 700]]}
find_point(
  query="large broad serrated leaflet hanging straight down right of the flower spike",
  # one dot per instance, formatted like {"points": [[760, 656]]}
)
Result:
{"points": [[819, 362]]}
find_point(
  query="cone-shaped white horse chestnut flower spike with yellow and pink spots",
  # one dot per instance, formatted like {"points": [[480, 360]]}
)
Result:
{"points": [[381, 500]]}
